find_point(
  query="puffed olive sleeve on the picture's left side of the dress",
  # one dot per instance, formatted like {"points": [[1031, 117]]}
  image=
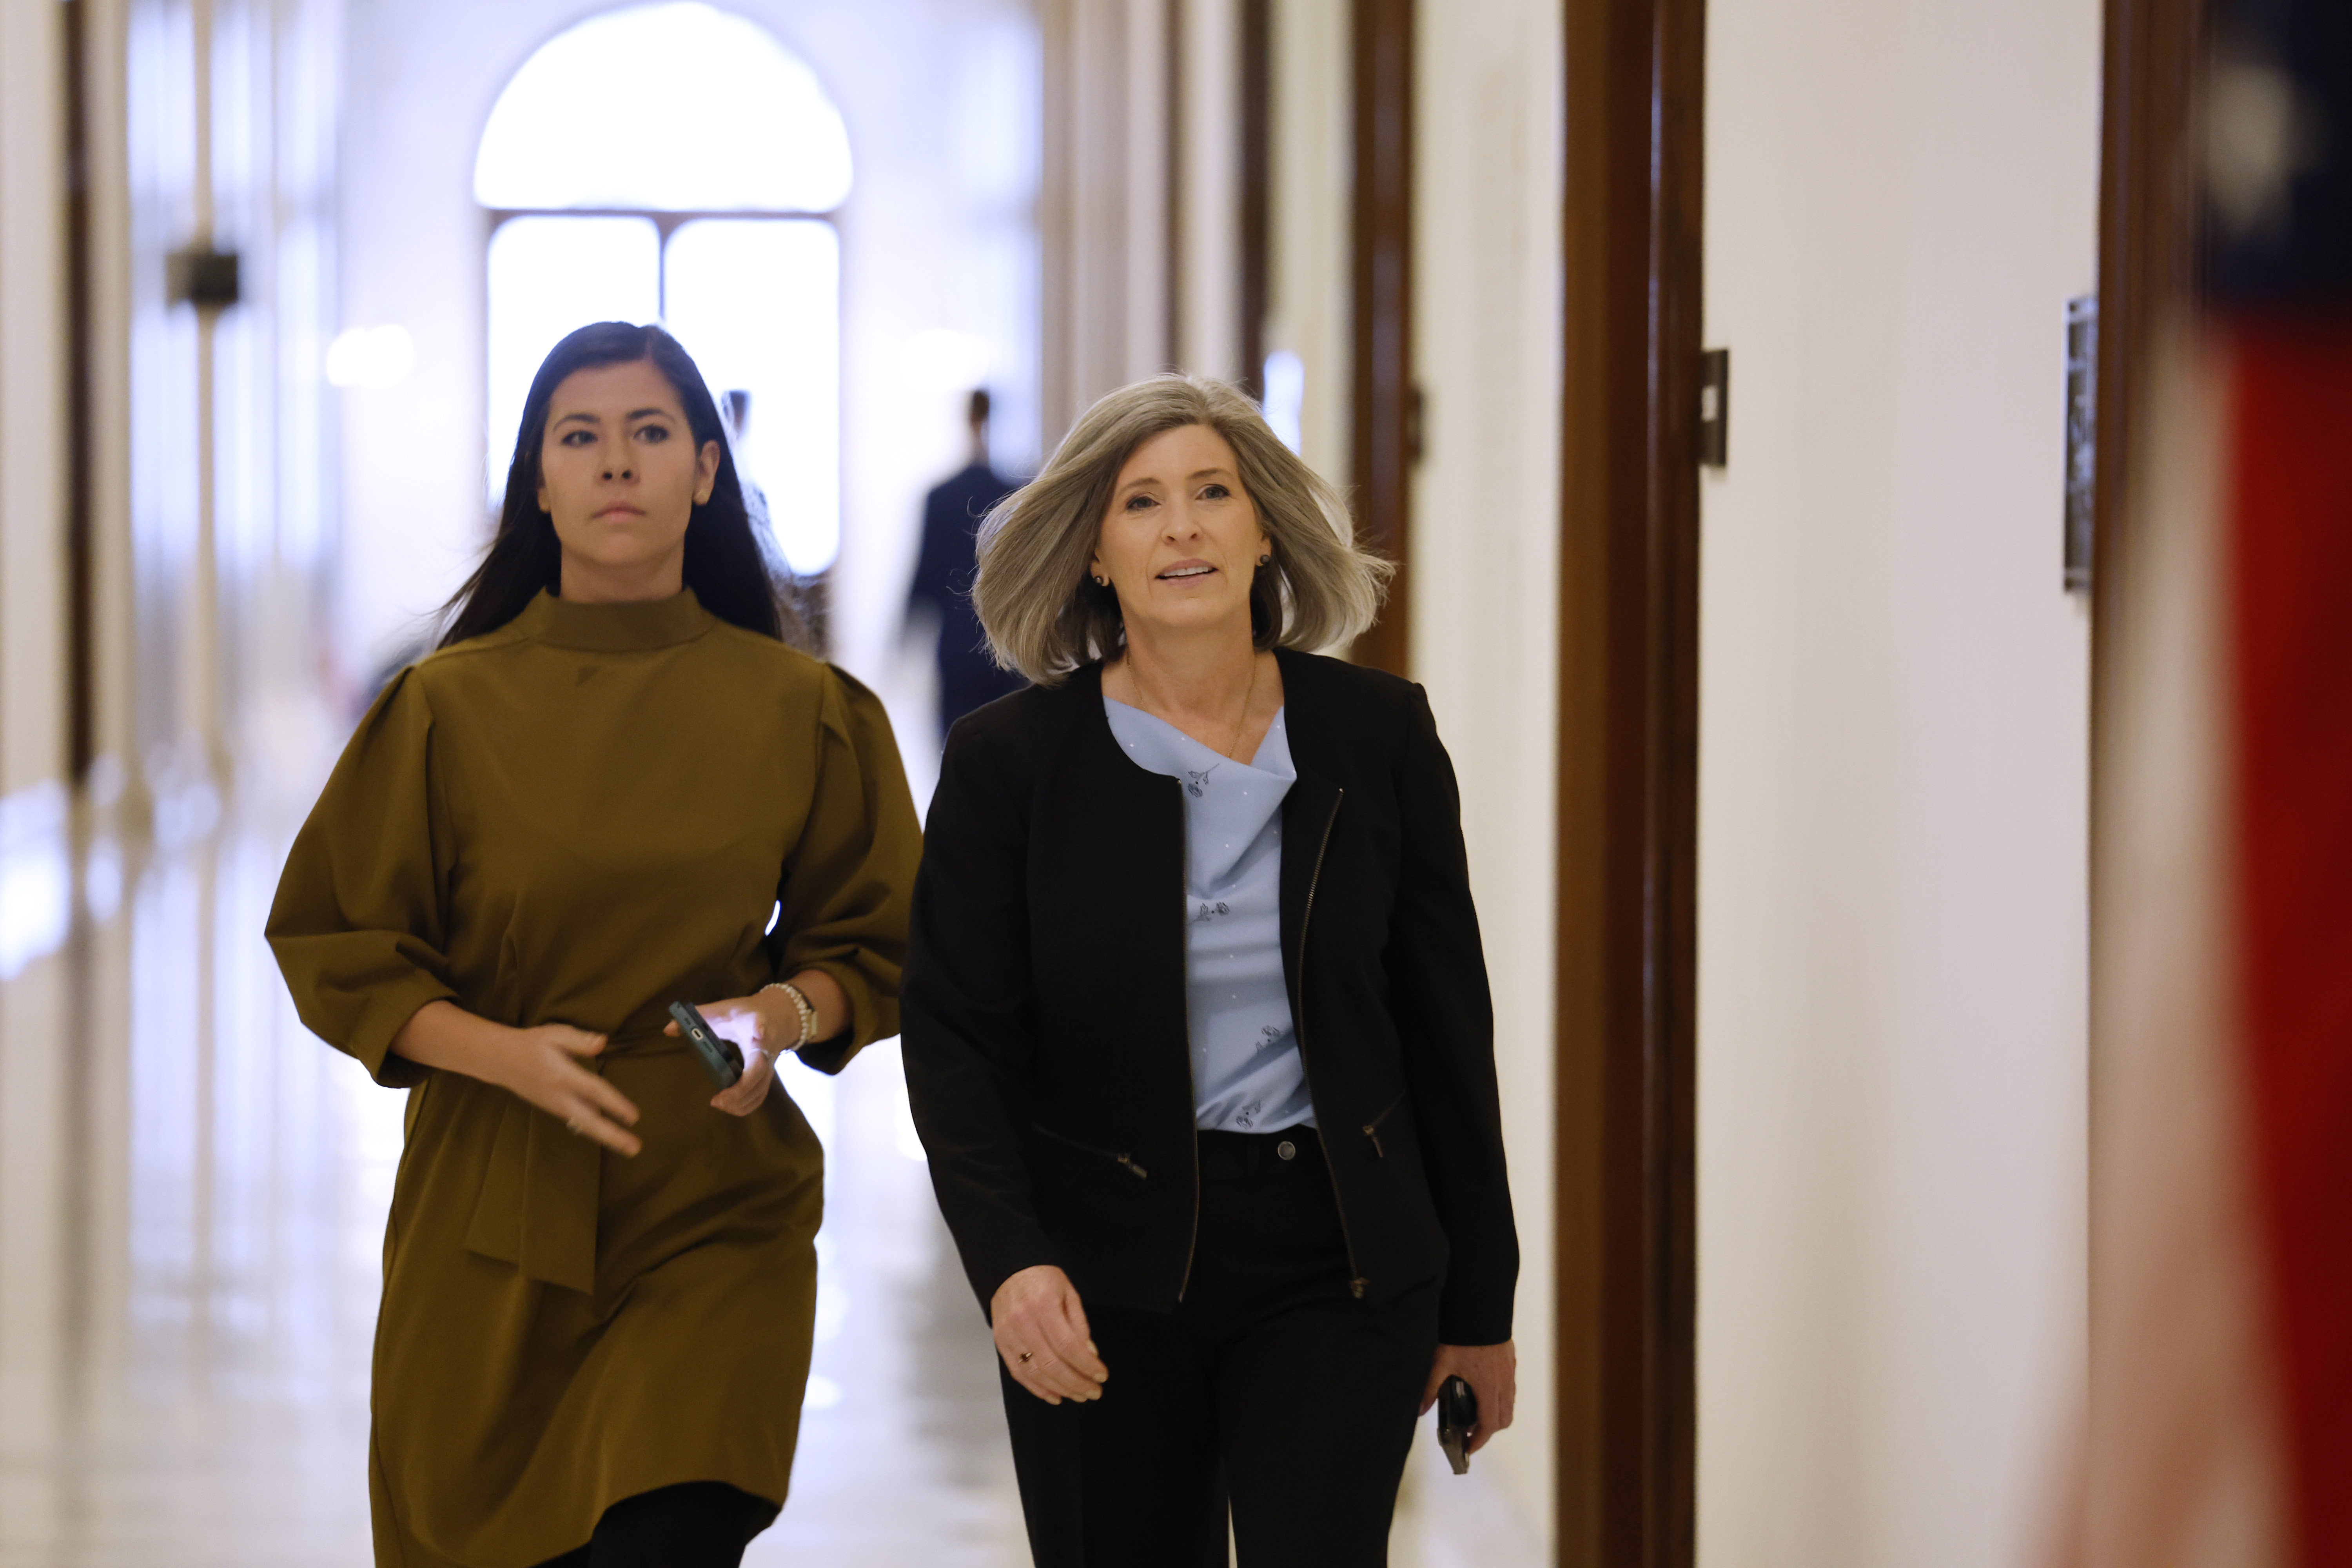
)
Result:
{"points": [[361, 913]]}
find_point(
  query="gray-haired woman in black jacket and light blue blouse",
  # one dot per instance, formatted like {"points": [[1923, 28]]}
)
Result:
{"points": [[1224, 1170]]}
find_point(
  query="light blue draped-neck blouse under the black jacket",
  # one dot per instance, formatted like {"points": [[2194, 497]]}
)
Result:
{"points": [[1245, 1054]]}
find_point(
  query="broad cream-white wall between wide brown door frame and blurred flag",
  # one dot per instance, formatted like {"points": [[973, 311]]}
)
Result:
{"points": [[1892, 949]]}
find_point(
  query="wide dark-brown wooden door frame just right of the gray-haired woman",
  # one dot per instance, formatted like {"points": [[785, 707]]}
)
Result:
{"points": [[1629, 786]]}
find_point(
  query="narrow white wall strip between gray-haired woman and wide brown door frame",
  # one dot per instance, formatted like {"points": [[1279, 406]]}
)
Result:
{"points": [[1485, 556]]}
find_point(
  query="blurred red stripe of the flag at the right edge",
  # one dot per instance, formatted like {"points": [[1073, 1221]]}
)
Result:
{"points": [[2290, 518]]}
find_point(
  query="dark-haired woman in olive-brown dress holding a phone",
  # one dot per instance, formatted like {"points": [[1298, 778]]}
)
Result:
{"points": [[613, 789]]}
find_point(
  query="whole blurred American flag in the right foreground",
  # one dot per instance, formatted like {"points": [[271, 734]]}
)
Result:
{"points": [[2221, 1146]]}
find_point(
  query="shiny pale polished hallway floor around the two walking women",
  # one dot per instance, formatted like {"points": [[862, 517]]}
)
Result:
{"points": [[192, 1205]]}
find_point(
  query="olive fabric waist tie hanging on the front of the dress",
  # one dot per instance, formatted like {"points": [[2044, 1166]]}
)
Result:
{"points": [[540, 1188]]}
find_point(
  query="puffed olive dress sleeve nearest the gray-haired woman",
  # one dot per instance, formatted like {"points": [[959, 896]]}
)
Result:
{"points": [[850, 880]]}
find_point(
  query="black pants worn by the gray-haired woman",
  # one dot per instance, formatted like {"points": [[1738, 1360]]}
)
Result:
{"points": [[1269, 1388]]}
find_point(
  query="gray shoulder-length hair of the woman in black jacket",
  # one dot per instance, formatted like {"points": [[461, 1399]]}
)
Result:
{"points": [[1045, 617]]}
